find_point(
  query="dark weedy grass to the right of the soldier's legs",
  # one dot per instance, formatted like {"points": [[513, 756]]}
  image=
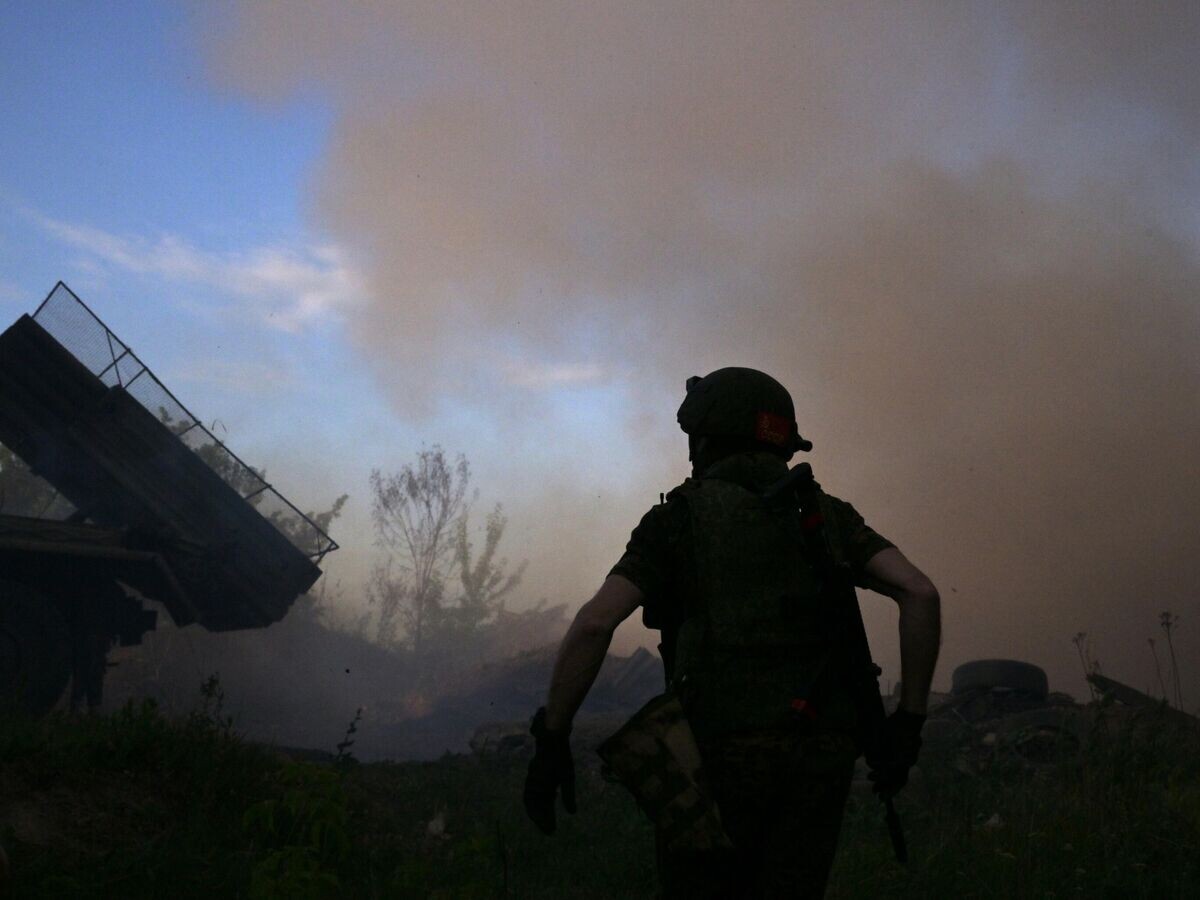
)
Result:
{"points": [[1115, 817]]}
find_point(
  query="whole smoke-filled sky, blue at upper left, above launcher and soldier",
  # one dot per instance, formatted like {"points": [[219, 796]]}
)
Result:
{"points": [[964, 236]]}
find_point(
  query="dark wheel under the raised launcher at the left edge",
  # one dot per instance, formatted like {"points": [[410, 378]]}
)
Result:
{"points": [[35, 650]]}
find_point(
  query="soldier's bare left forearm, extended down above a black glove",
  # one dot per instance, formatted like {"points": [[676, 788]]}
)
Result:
{"points": [[585, 646]]}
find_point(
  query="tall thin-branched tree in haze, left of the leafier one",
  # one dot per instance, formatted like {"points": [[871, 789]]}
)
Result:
{"points": [[416, 513]]}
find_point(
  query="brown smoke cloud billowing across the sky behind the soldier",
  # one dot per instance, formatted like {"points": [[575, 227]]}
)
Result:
{"points": [[964, 236]]}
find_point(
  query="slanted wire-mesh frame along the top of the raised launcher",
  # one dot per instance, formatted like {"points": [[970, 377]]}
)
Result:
{"points": [[67, 319]]}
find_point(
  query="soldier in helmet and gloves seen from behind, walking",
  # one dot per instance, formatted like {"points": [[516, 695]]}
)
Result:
{"points": [[745, 569]]}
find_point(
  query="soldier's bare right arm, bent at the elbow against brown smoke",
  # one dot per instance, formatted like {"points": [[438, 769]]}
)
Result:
{"points": [[921, 622]]}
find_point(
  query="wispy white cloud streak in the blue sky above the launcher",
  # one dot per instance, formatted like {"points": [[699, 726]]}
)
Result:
{"points": [[284, 287]]}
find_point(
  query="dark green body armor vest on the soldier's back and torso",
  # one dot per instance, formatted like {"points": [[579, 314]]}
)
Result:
{"points": [[760, 646]]}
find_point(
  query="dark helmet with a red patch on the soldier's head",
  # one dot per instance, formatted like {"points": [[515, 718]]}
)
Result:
{"points": [[741, 404]]}
